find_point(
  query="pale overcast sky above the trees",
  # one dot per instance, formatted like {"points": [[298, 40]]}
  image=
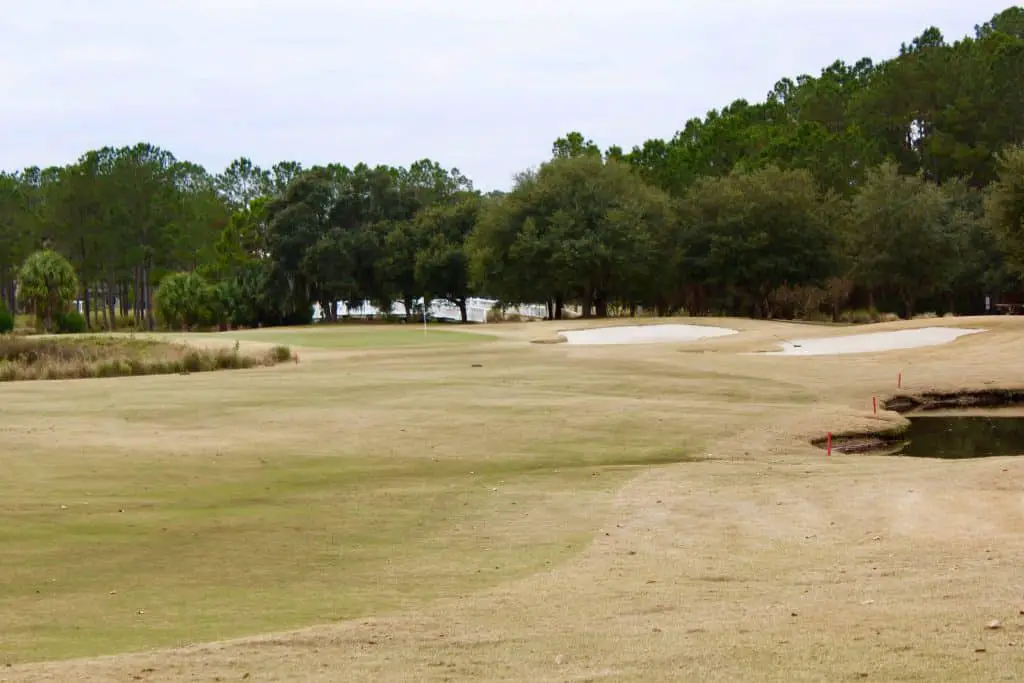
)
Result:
{"points": [[485, 86]]}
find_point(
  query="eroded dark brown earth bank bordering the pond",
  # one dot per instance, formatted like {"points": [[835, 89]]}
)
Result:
{"points": [[882, 442]]}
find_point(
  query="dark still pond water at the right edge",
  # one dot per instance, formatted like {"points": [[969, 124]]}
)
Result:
{"points": [[964, 437]]}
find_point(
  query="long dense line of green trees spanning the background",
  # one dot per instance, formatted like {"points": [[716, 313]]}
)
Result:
{"points": [[897, 187]]}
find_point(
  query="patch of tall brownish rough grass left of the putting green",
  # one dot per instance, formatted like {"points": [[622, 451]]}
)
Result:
{"points": [[80, 358]]}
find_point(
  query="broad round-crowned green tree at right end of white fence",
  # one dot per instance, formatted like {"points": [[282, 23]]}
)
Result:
{"points": [[580, 228]]}
